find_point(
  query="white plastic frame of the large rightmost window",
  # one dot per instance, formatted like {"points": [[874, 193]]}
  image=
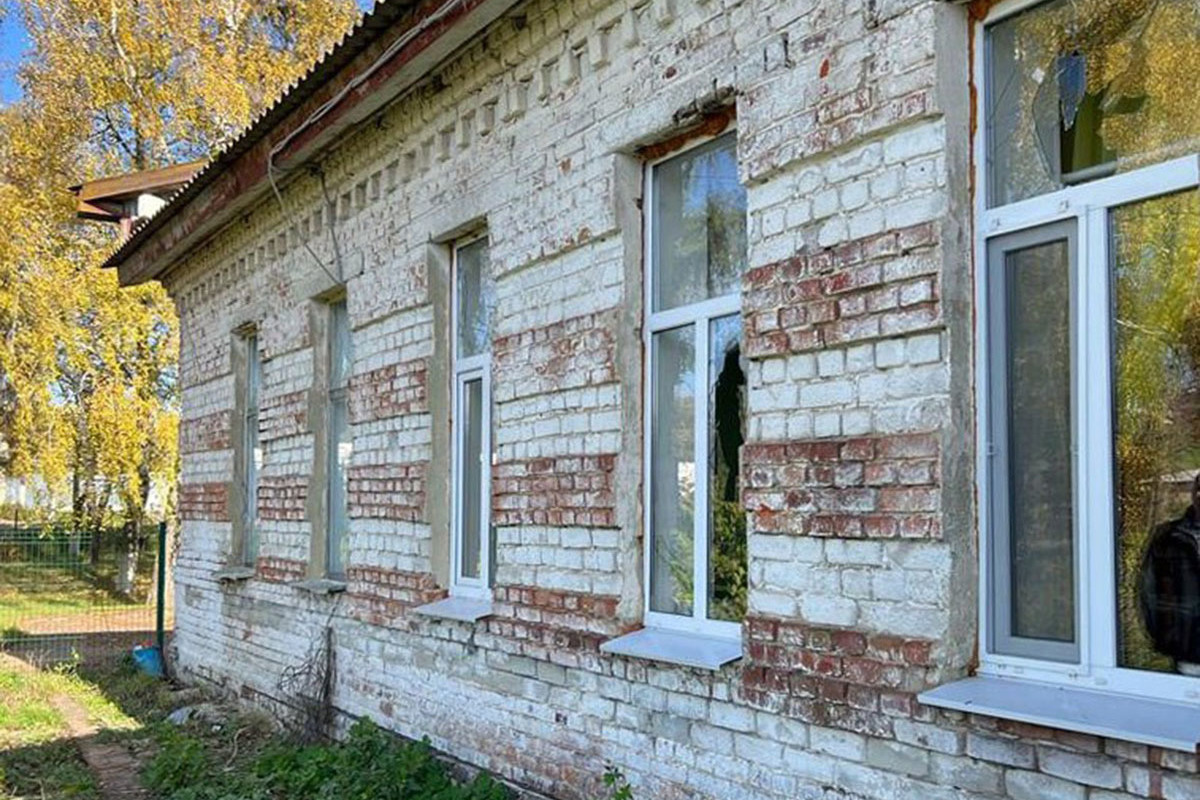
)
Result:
{"points": [[1088, 208]]}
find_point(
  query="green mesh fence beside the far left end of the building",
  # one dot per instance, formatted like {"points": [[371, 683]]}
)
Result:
{"points": [[77, 597]]}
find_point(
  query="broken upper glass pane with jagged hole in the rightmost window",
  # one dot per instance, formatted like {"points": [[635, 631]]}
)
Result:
{"points": [[1083, 89]]}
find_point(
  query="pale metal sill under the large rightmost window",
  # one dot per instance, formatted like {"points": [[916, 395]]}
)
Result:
{"points": [[1102, 714]]}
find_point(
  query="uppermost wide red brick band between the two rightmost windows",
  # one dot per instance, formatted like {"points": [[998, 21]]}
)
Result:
{"points": [[850, 293]]}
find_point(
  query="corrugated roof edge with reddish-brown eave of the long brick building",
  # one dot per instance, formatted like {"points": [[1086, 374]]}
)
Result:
{"points": [[238, 175]]}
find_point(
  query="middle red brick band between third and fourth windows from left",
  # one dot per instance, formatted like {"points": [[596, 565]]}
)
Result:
{"points": [[565, 492]]}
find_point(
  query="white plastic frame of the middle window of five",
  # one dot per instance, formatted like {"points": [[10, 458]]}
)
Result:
{"points": [[465, 371]]}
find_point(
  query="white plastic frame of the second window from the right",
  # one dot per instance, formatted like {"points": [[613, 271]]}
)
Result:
{"points": [[700, 316]]}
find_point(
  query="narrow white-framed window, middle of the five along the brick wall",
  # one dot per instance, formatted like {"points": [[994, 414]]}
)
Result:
{"points": [[475, 298]]}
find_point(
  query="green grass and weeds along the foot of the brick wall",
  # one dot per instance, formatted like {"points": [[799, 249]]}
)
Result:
{"points": [[237, 756]]}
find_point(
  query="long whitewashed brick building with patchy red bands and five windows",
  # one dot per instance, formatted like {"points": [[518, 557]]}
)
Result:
{"points": [[771, 399]]}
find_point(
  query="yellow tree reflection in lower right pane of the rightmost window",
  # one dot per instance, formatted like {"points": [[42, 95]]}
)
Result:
{"points": [[1156, 278]]}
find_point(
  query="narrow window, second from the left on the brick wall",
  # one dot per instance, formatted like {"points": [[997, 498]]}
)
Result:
{"points": [[341, 441]]}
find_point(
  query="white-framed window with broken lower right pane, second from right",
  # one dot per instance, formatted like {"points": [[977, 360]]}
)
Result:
{"points": [[697, 560]]}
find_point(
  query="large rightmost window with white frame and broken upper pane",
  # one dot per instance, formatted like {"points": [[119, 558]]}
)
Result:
{"points": [[1090, 357]]}
